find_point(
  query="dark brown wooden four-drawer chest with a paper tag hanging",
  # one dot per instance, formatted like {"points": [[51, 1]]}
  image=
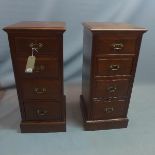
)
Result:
{"points": [[40, 93]]}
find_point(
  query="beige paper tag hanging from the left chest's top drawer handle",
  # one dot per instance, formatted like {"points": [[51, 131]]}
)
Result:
{"points": [[30, 64]]}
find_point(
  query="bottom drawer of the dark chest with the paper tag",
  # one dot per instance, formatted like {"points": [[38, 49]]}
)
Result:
{"points": [[42, 110]]}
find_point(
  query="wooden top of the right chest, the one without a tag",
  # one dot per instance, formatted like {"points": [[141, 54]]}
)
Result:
{"points": [[104, 26]]}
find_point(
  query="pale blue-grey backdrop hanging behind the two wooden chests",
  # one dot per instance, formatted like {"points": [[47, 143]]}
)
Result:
{"points": [[74, 12]]}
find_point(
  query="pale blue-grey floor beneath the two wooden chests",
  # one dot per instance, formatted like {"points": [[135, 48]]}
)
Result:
{"points": [[137, 139]]}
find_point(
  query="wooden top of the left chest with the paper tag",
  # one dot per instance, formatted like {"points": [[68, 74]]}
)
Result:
{"points": [[36, 25]]}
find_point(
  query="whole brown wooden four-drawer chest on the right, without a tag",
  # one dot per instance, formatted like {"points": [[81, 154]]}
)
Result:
{"points": [[110, 57]]}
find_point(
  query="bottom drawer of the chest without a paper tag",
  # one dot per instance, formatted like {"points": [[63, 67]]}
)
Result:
{"points": [[109, 109]]}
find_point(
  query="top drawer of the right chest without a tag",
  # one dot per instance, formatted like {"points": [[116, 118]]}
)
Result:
{"points": [[113, 44]]}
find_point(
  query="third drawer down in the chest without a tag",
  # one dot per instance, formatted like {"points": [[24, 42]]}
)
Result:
{"points": [[111, 88]]}
